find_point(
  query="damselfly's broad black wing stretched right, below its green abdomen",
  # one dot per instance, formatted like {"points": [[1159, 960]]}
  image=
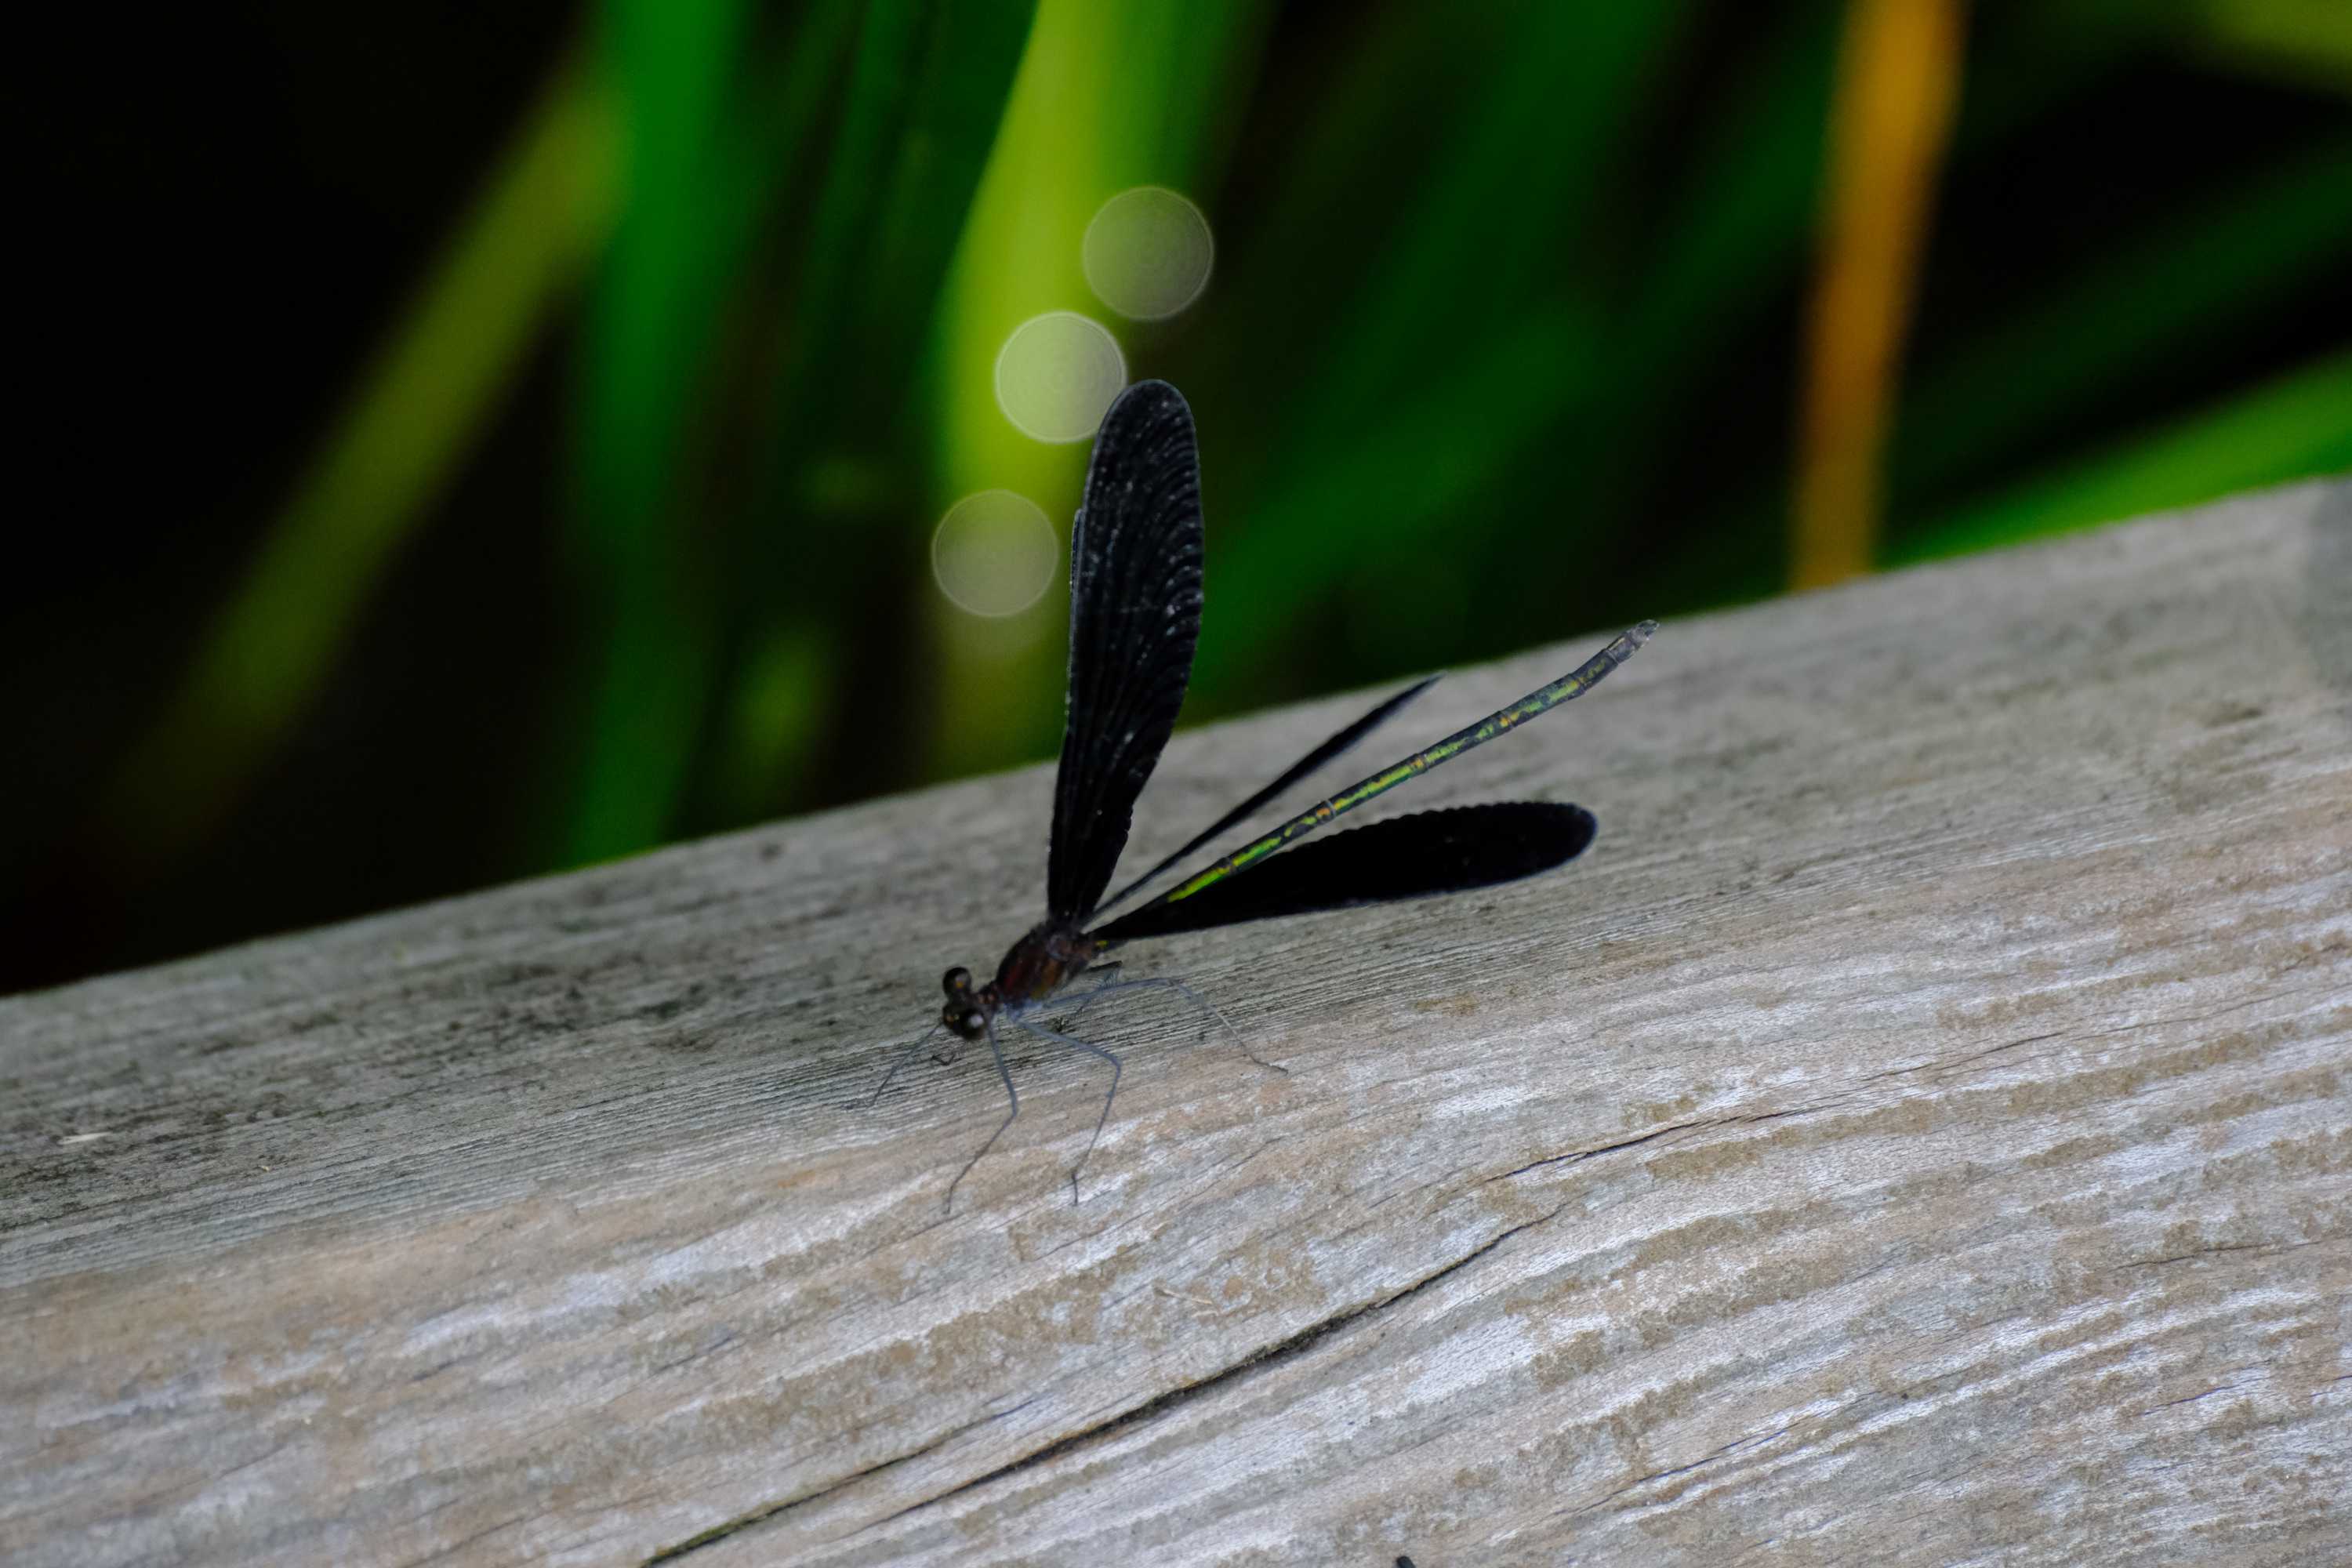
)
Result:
{"points": [[1412, 857]]}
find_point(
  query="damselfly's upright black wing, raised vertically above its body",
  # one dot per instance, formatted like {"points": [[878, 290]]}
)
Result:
{"points": [[1135, 617]]}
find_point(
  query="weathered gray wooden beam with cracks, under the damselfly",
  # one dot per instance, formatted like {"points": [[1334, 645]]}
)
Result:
{"points": [[1916, 1134]]}
